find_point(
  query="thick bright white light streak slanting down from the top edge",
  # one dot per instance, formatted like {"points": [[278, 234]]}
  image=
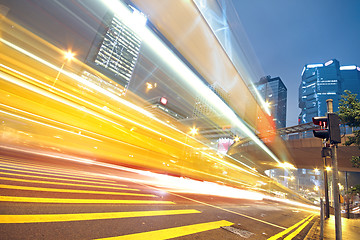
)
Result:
{"points": [[187, 75]]}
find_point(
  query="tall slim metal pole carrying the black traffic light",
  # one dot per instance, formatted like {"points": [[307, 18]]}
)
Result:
{"points": [[335, 175]]}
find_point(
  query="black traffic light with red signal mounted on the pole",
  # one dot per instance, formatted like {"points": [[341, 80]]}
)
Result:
{"points": [[330, 128]]}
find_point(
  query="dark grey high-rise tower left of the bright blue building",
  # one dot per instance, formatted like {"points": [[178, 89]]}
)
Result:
{"points": [[274, 93]]}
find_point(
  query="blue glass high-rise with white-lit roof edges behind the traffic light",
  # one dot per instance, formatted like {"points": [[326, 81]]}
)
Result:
{"points": [[325, 81]]}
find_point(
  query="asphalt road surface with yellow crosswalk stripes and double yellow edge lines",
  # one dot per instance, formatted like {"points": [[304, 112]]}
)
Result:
{"points": [[46, 198]]}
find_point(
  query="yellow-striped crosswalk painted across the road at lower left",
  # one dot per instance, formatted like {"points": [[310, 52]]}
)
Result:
{"points": [[38, 184]]}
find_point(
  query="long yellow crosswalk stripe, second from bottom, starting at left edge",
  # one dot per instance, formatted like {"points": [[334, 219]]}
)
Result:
{"points": [[41, 218]]}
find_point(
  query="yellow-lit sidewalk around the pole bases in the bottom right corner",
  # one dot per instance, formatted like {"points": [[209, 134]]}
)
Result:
{"points": [[350, 229]]}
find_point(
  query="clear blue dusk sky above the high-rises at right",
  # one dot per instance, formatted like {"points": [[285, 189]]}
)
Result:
{"points": [[287, 34]]}
